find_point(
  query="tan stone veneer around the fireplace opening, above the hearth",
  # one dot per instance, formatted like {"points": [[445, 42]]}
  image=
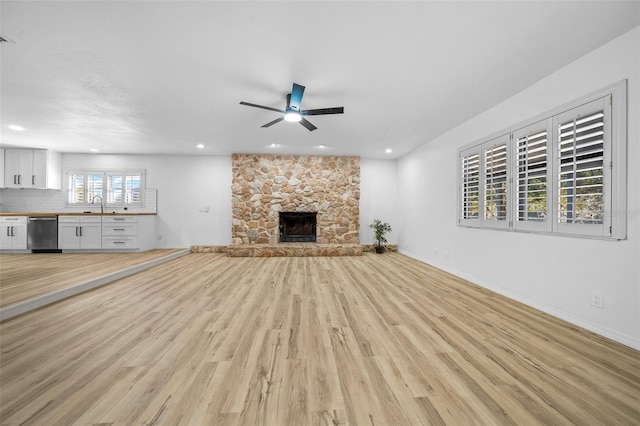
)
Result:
{"points": [[265, 185]]}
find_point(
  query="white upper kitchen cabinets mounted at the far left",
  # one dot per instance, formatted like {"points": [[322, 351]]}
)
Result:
{"points": [[32, 168]]}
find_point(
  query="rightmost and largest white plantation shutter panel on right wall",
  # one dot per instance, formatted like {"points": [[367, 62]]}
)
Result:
{"points": [[582, 150]]}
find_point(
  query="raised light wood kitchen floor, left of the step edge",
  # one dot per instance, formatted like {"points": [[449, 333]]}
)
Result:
{"points": [[25, 276]]}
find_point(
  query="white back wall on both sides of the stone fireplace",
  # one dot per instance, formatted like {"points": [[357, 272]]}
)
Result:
{"points": [[186, 184]]}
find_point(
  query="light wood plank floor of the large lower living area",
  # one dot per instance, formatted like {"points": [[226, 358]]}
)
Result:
{"points": [[372, 340]]}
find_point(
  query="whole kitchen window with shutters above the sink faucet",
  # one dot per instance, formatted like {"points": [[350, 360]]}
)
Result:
{"points": [[116, 188]]}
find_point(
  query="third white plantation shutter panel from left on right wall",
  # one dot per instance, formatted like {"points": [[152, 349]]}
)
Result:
{"points": [[532, 177]]}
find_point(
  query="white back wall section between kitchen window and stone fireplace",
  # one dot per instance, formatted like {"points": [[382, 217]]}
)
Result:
{"points": [[185, 184]]}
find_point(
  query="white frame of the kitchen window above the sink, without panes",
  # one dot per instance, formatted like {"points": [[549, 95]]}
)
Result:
{"points": [[105, 173]]}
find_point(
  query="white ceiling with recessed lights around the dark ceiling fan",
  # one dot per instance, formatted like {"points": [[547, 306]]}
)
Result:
{"points": [[161, 77]]}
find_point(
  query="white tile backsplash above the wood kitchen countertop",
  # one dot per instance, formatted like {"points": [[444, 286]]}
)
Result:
{"points": [[53, 201]]}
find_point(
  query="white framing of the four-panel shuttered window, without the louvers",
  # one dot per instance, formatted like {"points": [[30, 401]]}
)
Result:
{"points": [[614, 226]]}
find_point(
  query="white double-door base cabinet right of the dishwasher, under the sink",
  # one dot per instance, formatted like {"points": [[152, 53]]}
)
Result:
{"points": [[79, 232]]}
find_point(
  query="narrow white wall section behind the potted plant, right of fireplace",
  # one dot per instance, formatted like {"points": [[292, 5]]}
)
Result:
{"points": [[378, 197]]}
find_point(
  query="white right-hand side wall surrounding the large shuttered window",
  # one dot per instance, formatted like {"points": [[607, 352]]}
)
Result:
{"points": [[567, 269]]}
